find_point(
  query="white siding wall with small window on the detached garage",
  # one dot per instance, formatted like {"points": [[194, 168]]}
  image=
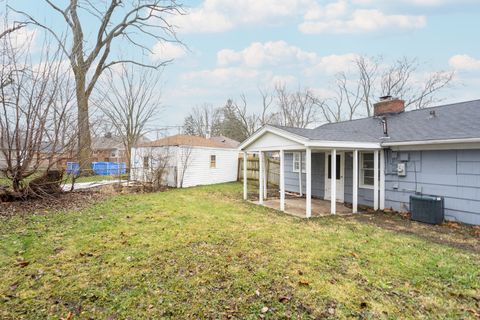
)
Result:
{"points": [[198, 171]]}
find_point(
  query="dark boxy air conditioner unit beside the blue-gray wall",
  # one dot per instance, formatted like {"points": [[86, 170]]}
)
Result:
{"points": [[428, 209]]}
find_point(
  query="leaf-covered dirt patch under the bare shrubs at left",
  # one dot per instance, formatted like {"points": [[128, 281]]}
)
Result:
{"points": [[64, 201]]}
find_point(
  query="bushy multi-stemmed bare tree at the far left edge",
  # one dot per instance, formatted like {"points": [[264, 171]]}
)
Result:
{"points": [[36, 110]]}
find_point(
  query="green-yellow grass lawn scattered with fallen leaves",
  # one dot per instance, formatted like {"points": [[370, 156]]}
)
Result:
{"points": [[204, 253]]}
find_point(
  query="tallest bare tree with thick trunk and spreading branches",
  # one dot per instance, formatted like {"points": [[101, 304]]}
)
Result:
{"points": [[116, 20]]}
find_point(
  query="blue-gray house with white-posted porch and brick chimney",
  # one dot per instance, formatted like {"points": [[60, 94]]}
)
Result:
{"points": [[381, 160]]}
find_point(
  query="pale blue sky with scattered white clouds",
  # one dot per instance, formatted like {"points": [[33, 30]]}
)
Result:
{"points": [[239, 46]]}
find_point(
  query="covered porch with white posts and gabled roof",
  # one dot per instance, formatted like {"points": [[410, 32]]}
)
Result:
{"points": [[323, 187]]}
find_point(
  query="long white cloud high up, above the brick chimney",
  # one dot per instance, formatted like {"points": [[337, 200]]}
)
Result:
{"points": [[339, 18]]}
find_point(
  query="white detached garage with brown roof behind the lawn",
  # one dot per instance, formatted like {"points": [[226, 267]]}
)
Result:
{"points": [[186, 160]]}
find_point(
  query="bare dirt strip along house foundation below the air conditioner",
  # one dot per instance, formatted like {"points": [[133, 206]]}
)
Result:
{"points": [[457, 235]]}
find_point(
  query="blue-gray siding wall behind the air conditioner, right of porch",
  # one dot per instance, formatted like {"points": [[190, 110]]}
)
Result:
{"points": [[453, 174]]}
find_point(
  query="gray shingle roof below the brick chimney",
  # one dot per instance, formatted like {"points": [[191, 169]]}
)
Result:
{"points": [[452, 121]]}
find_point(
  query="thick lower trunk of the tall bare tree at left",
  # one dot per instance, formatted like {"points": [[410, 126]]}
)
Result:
{"points": [[84, 136]]}
